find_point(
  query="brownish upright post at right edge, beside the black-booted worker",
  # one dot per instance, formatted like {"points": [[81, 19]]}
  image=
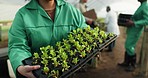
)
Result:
{"points": [[143, 64]]}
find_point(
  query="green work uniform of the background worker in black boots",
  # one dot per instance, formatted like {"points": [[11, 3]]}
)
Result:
{"points": [[140, 19]]}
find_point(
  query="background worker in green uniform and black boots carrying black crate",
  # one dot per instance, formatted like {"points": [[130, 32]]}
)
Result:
{"points": [[134, 31]]}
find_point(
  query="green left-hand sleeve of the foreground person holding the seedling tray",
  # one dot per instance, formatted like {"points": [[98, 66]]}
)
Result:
{"points": [[18, 48]]}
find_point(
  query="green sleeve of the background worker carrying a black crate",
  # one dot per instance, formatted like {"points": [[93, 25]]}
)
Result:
{"points": [[144, 20]]}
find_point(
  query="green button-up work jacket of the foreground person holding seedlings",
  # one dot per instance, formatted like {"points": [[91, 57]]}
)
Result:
{"points": [[32, 28]]}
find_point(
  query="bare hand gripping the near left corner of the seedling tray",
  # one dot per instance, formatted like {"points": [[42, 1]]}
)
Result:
{"points": [[27, 70]]}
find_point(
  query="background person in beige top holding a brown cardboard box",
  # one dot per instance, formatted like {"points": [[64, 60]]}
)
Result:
{"points": [[83, 8]]}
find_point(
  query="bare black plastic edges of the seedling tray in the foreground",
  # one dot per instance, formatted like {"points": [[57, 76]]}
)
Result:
{"points": [[73, 68]]}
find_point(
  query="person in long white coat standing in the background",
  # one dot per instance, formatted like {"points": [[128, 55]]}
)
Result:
{"points": [[112, 26]]}
